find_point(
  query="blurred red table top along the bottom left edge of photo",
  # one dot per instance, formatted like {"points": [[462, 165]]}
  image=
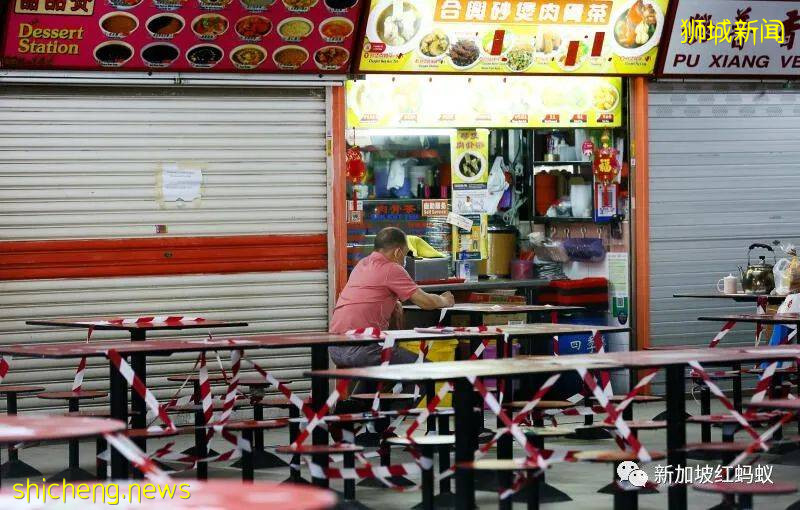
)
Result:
{"points": [[210, 495]]}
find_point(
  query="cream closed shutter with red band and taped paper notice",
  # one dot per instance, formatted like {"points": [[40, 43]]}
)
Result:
{"points": [[84, 163]]}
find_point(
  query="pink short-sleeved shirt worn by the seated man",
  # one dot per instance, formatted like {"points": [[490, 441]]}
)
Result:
{"points": [[369, 297]]}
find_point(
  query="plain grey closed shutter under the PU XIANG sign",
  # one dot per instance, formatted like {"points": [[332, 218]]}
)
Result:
{"points": [[724, 173]]}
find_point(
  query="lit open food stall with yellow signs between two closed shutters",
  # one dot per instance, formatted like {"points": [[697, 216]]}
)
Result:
{"points": [[501, 133]]}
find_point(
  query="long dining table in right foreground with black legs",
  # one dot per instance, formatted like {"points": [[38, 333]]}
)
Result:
{"points": [[459, 373]]}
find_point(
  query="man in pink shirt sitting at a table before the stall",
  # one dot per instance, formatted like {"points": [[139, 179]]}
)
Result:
{"points": [[373, 296]]}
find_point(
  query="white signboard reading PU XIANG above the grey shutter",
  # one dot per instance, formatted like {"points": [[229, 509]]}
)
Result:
{"points": [[724, 38]]}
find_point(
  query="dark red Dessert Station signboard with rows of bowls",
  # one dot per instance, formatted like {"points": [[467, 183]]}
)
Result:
{"points": [[263, 36]]}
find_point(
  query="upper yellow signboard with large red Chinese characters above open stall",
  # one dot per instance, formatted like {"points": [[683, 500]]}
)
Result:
{"points": [[603, 37]]}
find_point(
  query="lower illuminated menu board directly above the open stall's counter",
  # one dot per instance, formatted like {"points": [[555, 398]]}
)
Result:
{"points": [[383, 101]]}
